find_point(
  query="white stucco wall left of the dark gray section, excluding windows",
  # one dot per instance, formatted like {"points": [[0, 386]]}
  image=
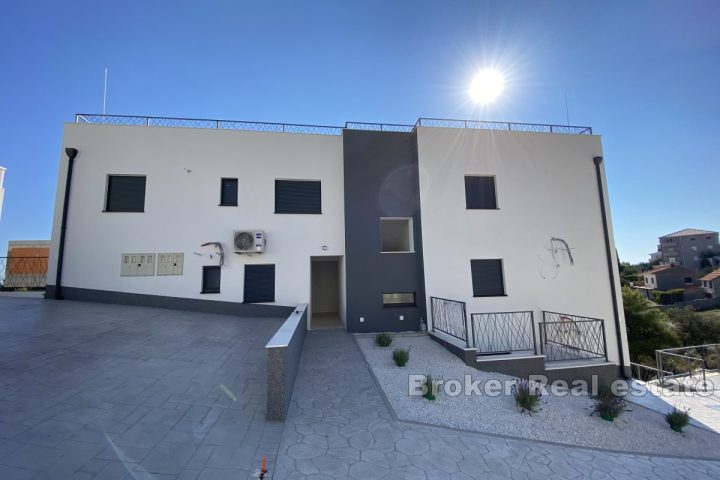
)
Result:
{"points": [[183, 168]]}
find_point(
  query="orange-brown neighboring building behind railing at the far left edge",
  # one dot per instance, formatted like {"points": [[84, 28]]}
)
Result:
{"points": [[26, 264]]}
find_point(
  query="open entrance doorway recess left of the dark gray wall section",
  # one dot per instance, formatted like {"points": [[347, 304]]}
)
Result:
{"points": [[325, 299]]}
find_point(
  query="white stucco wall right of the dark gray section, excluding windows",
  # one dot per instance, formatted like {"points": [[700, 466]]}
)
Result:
{"points": [[546, 187]]}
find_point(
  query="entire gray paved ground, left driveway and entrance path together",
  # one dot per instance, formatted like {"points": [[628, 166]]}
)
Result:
{"points": [[91, 391]]}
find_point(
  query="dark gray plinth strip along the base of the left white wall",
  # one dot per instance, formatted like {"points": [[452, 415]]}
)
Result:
{"points": [[175, 303]]}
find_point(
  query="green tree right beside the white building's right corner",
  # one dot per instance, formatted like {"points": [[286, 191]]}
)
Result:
{"points": [[648, 327]]}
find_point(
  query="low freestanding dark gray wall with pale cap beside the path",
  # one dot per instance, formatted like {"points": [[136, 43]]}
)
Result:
{"points": [[283, 358]]}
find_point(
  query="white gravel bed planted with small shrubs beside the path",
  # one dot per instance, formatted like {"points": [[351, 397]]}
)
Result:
{"points": [[565, 420]]}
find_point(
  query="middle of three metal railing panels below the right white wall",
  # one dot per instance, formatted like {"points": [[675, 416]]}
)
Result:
{"points": [[503, 332]]}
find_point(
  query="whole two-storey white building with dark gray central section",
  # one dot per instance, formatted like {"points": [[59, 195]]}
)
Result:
{"points": [[365, 223]]}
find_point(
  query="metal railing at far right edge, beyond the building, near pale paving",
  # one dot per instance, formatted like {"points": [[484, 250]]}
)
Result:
{"points": [[688, 366]]}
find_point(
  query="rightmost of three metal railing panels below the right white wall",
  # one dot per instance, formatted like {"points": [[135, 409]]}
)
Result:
{"points": [[572, 337]]}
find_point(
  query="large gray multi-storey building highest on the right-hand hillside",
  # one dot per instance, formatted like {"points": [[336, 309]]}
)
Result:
{"points": [[688, 247]]}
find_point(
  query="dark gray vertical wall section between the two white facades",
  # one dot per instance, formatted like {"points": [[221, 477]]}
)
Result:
{"points": [[381, 180]]}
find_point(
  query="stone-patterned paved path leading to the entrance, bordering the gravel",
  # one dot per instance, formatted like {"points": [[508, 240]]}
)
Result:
{"points": [[339, 427]]}
